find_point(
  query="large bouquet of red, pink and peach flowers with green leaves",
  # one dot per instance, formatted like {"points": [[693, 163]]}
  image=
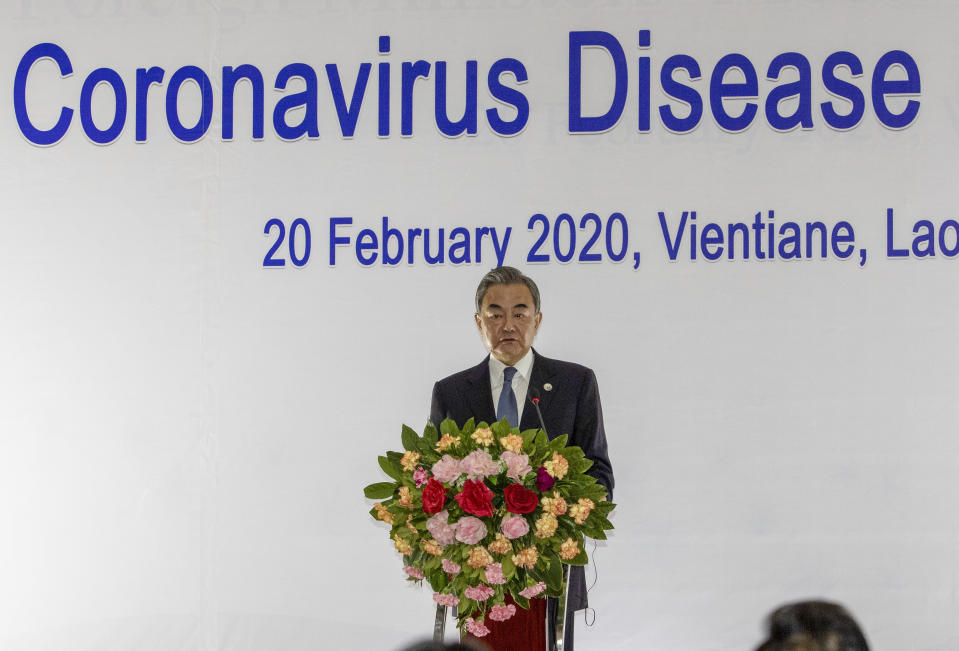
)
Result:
{"points": [[486, 510]]}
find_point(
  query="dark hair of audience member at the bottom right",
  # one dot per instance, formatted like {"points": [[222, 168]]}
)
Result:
{"points": [[813, 626]]}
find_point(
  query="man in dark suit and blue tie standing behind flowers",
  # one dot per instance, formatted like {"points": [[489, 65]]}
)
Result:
{"points": [[502, 385]]}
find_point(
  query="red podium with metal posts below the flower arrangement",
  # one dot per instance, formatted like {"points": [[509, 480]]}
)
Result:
{"points": [[512, 635]]}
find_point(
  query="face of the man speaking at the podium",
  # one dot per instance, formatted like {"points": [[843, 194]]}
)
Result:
{"points": [[508, 322]]}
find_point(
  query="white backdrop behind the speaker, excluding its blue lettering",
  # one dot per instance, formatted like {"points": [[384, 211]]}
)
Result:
{"points": [[172, 472]]}
